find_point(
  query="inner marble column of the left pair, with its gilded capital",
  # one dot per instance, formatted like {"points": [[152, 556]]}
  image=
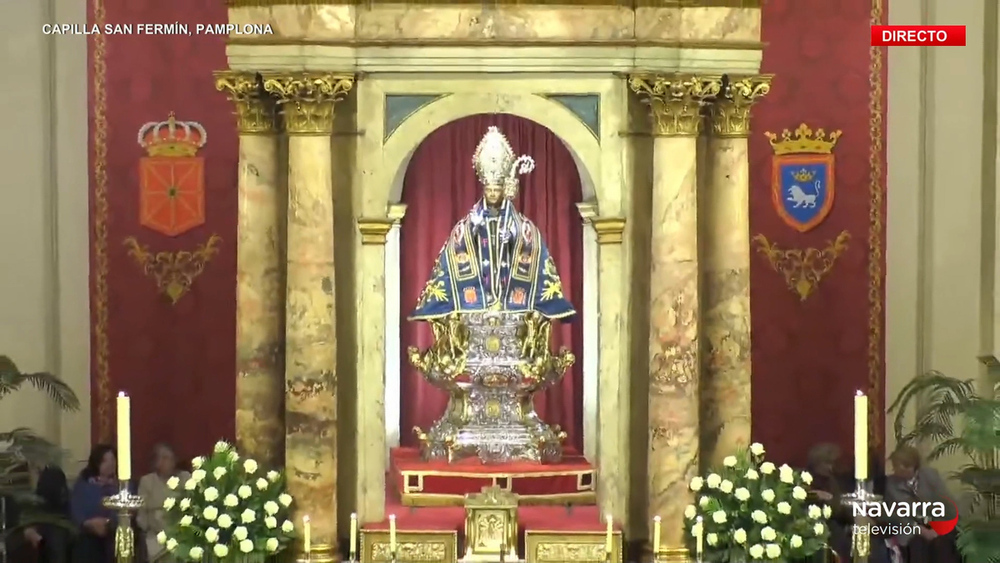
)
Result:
{"points": [[307, 101]]}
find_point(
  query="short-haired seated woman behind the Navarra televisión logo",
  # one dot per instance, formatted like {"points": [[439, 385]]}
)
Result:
{"points": [[912, 481]]}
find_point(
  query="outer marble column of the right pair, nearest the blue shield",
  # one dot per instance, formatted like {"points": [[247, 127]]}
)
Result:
{"points": [[725, 232]]}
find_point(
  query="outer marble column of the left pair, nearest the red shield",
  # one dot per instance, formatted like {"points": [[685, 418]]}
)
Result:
{"points": [[260, 274]]}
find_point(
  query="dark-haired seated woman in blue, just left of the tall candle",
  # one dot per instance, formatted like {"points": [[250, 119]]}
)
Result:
{"points": [[95, 543]]}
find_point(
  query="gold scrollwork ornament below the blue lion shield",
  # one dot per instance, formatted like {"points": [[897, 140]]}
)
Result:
{"points": [[803, 269]]}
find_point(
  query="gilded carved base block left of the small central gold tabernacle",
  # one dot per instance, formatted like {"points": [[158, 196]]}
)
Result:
{"points": [[412, 546]]}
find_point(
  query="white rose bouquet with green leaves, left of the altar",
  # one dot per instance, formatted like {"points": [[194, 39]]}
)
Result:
{"points": [[229, 510]]}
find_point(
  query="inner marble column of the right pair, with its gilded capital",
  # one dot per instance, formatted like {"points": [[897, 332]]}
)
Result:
{"points": [[675, 104]]}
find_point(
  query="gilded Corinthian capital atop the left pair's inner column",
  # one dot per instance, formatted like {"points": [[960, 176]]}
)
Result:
{"points": [[307, 99]]}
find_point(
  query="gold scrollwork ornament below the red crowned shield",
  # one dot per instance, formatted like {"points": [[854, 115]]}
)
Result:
{"points": [[173, 272]]}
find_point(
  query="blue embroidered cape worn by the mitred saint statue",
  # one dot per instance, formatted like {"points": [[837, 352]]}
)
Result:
{"points": [[461, 282]]}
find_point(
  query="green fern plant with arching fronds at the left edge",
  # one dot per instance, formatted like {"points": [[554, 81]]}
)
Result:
{"points": [[22, 449]]}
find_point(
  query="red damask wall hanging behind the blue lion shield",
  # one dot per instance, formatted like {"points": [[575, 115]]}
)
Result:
{"points": [[810, 356]]}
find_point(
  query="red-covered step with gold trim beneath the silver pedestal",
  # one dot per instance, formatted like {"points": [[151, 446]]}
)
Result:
{"points": [[437, 483]]}
